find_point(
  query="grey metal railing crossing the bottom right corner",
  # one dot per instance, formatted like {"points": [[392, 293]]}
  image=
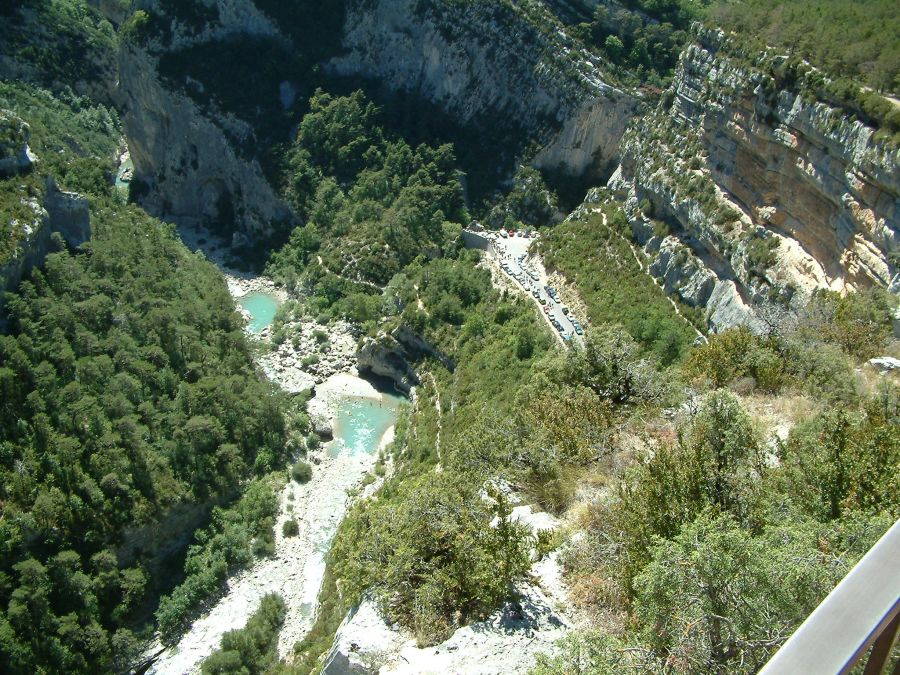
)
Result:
{"points": [[862, 611]]}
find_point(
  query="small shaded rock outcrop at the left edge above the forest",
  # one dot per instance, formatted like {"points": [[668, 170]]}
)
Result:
{"points": [[64, 213]]}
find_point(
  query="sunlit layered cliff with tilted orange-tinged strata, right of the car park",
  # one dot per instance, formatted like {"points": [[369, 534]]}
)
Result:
{"points": [[767, 194]]}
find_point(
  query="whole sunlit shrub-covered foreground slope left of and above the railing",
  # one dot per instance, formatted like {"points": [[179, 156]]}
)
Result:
{"points": [[693, 549]]}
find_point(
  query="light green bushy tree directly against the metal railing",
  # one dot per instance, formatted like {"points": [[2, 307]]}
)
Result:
{"points": [[717, 599]]}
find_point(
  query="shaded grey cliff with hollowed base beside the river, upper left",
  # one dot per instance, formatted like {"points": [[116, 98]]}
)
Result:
{"points": [[188, 167]]}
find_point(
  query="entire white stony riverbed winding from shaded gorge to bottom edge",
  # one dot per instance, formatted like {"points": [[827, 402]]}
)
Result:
{"points": [[307, 355]]}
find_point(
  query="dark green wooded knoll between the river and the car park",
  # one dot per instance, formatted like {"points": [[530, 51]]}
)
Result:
{"points": [[372, 204]]}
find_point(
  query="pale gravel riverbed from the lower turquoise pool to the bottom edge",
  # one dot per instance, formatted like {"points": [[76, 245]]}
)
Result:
{"points": [[296, 569]]}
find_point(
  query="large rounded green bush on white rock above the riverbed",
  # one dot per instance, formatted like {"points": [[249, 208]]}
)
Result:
{"points": [[441, 560]]}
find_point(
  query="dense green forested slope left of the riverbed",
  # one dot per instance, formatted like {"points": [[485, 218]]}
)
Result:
{"points": [[127, 390]]}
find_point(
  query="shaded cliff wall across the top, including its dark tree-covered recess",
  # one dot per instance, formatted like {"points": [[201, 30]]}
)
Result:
{"points": [[203, 145]]}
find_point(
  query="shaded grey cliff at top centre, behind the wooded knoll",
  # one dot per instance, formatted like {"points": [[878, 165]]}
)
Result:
{"points": [[483, 60]]}
